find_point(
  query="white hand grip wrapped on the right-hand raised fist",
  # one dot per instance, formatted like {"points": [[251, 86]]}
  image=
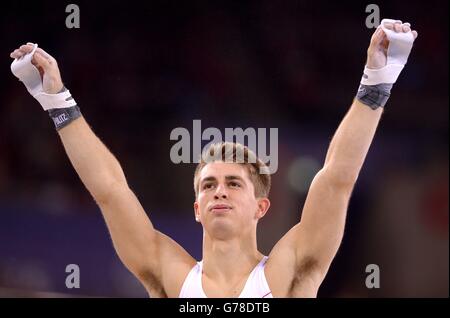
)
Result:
{"points": [[400, 45]]}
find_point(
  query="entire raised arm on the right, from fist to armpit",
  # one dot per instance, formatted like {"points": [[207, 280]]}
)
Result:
{"points": [[310, 246]]}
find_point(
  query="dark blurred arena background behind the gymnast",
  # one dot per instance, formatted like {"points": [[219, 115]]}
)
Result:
{"points": [[140, 69]]}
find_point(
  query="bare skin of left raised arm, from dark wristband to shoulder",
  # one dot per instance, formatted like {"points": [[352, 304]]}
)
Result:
{"points": [[147, 253]]}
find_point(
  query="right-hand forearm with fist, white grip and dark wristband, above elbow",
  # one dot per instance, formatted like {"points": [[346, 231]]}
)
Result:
{"points": [[387, 54]]}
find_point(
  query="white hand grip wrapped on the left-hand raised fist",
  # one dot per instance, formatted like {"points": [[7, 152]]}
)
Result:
{"points": [[27, 73]]}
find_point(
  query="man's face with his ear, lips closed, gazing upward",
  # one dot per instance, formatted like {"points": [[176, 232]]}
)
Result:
{"points": [[226, 202]]}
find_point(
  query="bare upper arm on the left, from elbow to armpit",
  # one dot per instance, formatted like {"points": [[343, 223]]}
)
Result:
{"points": [[146, 252]]}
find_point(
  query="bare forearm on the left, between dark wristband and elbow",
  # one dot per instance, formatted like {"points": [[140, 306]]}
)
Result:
{"points": [[98, 169]]}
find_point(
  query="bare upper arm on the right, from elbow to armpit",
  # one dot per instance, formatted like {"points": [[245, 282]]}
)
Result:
{"points": [[307, 250]]}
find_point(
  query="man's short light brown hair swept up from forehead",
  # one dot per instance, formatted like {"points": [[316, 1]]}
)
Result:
{"points": [[236, 153]]}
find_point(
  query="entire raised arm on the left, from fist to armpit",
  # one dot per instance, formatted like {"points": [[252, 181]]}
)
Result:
{"points": [[142, 249]]}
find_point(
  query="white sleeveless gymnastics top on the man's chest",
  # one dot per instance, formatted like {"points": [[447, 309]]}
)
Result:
{"points": [[255, 287]]}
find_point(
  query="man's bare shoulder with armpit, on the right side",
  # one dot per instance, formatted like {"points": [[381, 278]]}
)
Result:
{"points": [[287, 274]]}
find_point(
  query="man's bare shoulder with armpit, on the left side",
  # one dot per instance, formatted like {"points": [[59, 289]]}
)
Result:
{"points": [[166, 278]]}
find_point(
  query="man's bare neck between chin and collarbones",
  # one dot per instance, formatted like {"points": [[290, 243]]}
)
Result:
{"points": [[230, 258]]}
